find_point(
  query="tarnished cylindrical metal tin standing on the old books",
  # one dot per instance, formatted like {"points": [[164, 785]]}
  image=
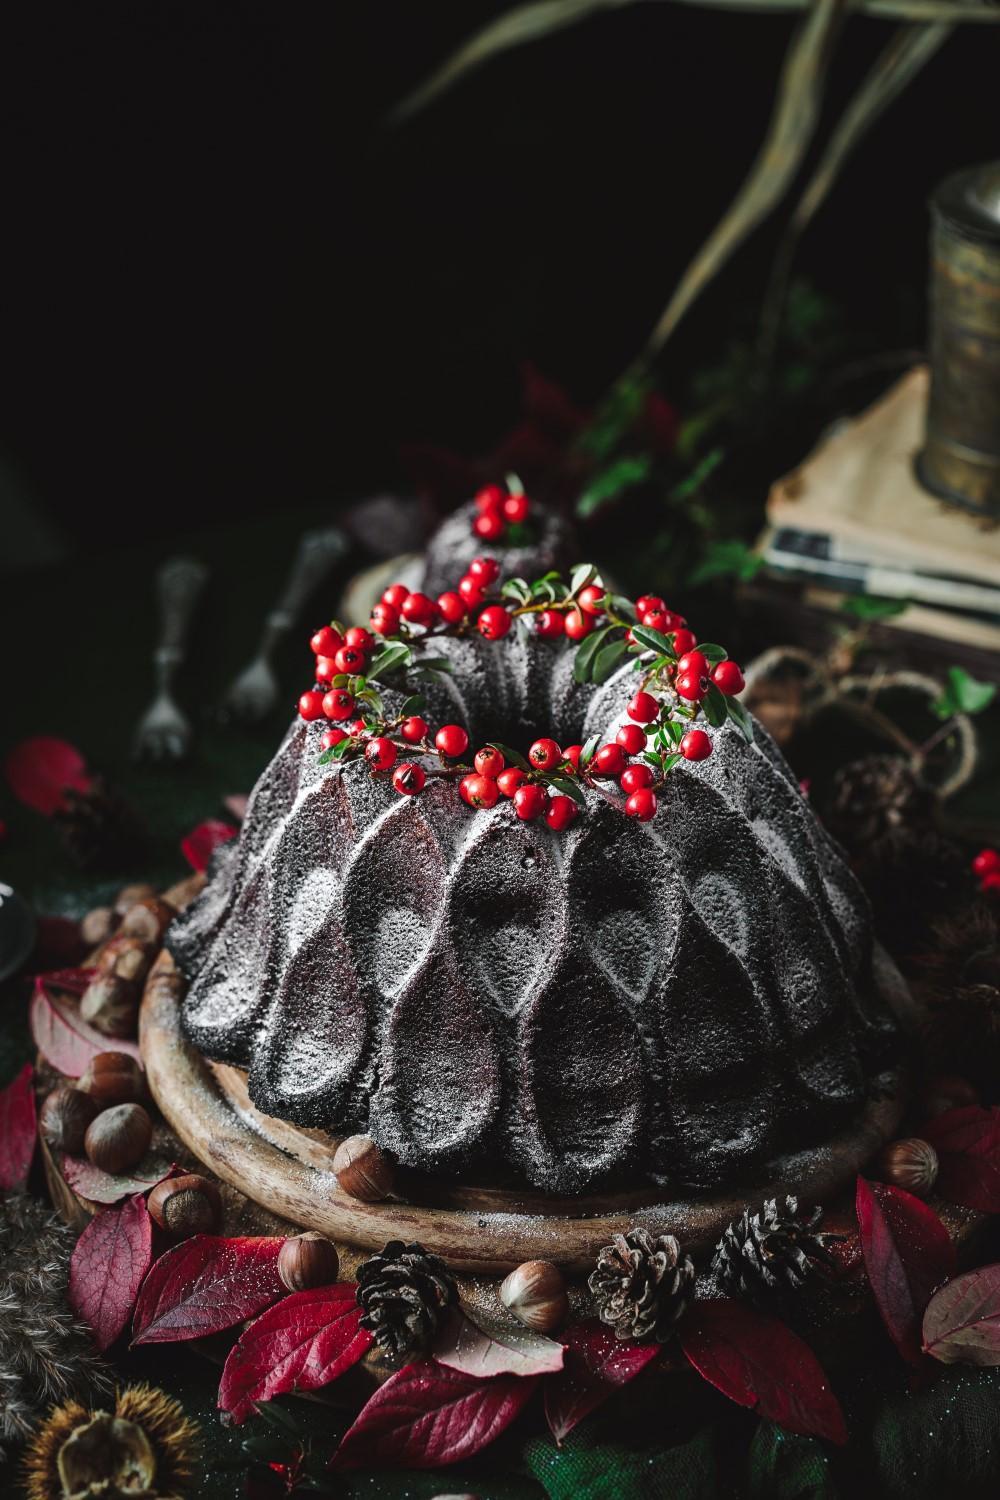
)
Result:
{"points": [[962, 455]]}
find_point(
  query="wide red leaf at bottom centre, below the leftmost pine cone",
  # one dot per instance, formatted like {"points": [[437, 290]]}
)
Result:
{"points": [[427, 1415]]}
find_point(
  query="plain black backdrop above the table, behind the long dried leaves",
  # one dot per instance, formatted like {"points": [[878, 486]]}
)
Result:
{"points": [[229, 287]]}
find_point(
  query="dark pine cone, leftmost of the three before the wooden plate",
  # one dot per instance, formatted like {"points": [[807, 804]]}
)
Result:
{"points": [[404, 1292]]}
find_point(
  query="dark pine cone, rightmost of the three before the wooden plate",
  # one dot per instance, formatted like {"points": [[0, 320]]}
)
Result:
{"points": [[773, 1252]]}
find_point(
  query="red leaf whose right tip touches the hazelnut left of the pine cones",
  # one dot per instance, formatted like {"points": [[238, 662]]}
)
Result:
{"points": [[206, 1285]]}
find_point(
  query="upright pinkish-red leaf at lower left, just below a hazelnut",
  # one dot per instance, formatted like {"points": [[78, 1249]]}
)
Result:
{"points": [[107, 1268]]}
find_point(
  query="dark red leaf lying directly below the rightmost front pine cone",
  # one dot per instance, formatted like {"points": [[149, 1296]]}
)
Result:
{"points": [[759, 1363]]}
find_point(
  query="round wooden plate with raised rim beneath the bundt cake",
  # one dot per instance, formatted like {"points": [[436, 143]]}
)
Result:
{"points": [[475, 1229]]}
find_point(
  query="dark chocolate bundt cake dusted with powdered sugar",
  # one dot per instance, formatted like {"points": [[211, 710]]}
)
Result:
{"points": [[680, 1003]]}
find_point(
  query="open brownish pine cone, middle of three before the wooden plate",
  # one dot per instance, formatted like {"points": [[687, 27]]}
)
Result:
{"points": [[642, 1285]]}
